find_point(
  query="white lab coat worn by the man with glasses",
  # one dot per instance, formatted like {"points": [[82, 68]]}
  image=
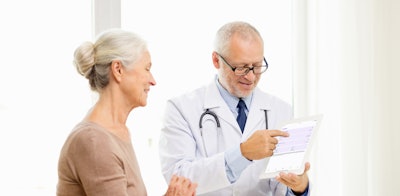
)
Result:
{"points": [[181, 145]]}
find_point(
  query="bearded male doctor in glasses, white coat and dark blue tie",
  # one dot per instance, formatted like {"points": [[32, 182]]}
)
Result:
{"points": [[201, 138]]}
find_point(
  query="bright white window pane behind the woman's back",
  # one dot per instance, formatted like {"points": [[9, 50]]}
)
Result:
{"points": [[42, 95]]}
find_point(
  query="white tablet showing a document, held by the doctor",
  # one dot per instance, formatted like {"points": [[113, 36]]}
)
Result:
{"points": [[293, 152]]}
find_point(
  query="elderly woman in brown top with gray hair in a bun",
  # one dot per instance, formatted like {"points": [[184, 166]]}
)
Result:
{"points": [[97, 157]]}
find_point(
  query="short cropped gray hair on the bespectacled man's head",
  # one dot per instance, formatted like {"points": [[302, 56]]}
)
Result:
{"points": [[224, 34]]}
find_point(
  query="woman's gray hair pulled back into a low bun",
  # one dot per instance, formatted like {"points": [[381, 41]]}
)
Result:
{"points": [[93, 60]]}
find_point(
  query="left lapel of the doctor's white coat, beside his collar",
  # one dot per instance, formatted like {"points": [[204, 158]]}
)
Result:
{"points": [[214, 101]]}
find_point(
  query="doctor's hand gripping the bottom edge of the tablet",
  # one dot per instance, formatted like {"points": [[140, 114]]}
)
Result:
{"points": [[298, 183]]}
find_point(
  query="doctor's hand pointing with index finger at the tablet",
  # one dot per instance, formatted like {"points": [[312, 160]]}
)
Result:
{"points": [[261, 144]]}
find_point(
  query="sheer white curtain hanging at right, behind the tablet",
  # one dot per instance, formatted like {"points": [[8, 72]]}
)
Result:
{"points": [[346, 66]]}
